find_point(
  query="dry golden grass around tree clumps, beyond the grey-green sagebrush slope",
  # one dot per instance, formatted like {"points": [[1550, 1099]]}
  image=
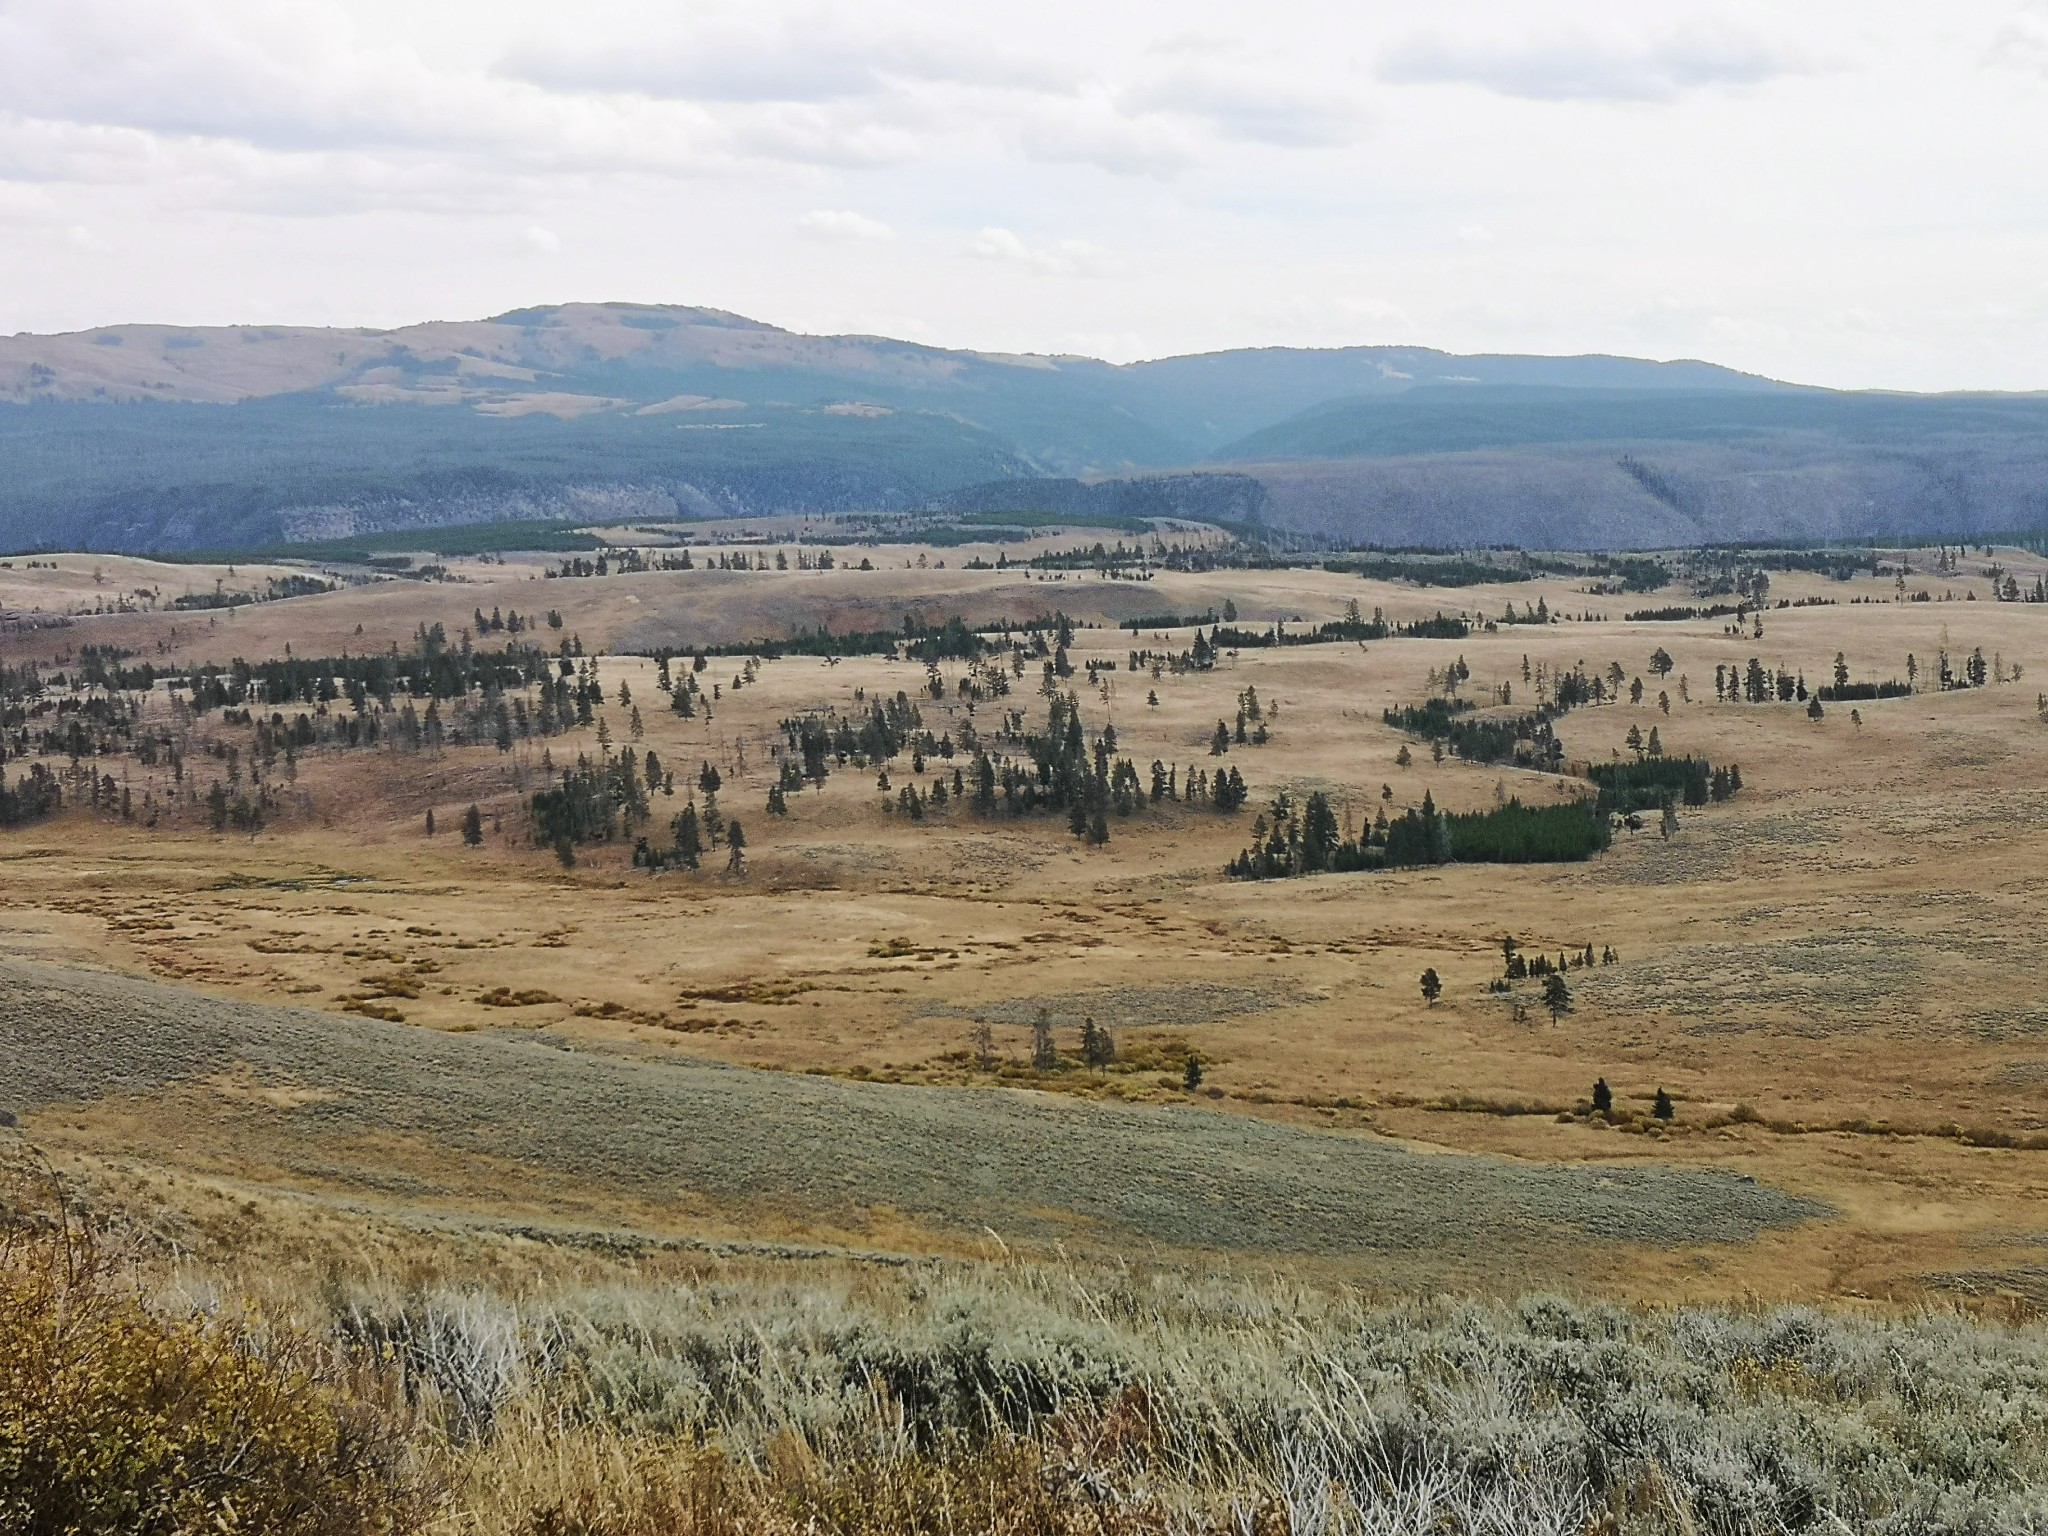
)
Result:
{"points": [[1850, 943]]}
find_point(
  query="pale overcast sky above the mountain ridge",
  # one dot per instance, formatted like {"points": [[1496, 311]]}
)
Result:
{"points": [[1834, 194]]}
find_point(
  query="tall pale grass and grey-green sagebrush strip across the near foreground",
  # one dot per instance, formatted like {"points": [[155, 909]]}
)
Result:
{"points": [[959, 1398]]}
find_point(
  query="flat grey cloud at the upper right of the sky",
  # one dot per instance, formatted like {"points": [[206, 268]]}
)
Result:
{"points": [[1580, 67]]}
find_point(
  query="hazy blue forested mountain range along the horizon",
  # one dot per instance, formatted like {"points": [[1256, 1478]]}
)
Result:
{"points": [[163, 437]]}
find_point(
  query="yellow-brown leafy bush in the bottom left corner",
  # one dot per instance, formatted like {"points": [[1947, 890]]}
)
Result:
{"points": [[118, 1420]]}
